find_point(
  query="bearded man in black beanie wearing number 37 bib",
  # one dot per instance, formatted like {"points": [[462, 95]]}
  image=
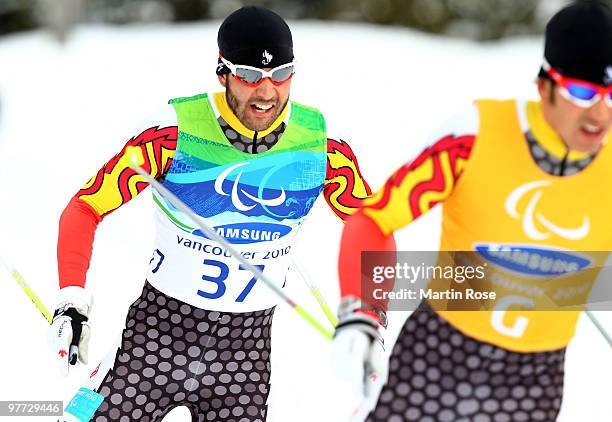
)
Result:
{"points": [[250, 163]]}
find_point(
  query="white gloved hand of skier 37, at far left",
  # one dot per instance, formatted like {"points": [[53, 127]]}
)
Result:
{"points": [[69, 333]]}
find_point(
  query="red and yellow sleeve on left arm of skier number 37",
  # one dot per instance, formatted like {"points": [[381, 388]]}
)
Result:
{"points": [[112, 186]]}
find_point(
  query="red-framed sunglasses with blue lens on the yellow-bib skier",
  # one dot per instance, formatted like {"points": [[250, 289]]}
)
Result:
{"points": [[582, 93]]}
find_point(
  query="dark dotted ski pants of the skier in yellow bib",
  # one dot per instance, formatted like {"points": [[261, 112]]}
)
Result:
{"points": [[438, 374]]}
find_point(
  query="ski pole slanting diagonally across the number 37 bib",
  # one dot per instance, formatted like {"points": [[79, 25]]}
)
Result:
{"points": [[135, 159]]}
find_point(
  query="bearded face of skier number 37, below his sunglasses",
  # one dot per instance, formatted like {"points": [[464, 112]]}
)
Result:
{"points": [[256, 107]]}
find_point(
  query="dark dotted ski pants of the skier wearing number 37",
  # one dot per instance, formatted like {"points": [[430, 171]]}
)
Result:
{"points": [[174, 354]]}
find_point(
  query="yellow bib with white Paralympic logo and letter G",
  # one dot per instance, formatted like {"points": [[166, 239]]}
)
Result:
{"points": [[503, 200]]}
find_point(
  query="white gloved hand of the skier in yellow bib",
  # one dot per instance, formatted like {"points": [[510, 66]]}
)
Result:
{"points": [[358, 352]]}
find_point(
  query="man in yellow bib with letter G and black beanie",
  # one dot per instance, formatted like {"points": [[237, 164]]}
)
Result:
{"points": [[526, 189]]}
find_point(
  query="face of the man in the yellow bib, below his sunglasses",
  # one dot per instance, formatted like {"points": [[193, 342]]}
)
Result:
{"points": [[582, 129]]}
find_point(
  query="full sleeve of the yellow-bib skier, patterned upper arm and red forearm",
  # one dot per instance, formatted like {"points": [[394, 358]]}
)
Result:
{"points": [[410, 192]]}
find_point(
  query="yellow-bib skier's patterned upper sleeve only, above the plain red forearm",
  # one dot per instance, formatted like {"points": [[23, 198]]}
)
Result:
{"points": [[417, 187]]}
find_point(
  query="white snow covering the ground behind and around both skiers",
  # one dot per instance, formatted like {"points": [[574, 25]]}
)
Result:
{"points": [[67, 109]]}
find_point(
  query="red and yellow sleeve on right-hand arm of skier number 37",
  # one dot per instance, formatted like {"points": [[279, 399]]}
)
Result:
{"points": [[345, 188]]}
